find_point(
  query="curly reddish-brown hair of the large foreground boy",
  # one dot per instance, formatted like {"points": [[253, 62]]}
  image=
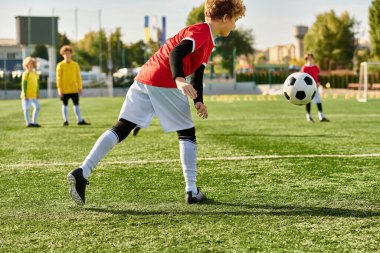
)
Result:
{"points": [[216, 9]]}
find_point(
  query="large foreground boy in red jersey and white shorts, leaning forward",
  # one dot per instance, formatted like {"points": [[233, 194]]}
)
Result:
{"points": [[161, 89]]}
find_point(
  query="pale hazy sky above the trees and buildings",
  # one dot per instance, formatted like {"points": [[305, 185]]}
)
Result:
{"points": [[272, 21]]}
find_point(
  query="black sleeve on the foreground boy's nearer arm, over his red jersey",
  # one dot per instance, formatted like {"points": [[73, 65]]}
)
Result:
{"points": [[176, 56]]}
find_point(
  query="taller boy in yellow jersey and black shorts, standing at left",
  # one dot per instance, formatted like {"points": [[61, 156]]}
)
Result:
{"points": [[69, 85]]}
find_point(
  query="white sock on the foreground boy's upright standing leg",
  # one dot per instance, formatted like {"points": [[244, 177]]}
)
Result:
{"points": [[188, 153]]}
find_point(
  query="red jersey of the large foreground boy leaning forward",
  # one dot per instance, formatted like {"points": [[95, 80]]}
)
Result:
{"points": [[157, 70]]}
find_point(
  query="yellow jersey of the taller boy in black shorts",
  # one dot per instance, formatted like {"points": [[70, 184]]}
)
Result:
{"points": [[68, 77]]}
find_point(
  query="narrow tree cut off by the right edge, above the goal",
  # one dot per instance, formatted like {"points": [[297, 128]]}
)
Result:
{"points": [[374, 28]]}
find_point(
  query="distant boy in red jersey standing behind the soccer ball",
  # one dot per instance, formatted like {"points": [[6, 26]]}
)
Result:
{"points": [[313, 70]]}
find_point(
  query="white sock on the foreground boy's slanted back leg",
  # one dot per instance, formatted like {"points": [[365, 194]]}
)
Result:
{"points": [[103, 145]]}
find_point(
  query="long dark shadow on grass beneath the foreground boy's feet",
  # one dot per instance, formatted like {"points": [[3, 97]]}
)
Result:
{"points": [[237, 209]]}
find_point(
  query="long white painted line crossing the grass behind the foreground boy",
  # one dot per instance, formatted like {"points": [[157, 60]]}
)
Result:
{"points": [[230, 158]]}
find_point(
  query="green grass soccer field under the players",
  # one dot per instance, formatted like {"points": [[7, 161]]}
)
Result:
{"points": [[276, 183]]}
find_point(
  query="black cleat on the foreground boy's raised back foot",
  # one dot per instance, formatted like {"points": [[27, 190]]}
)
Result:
{"points": [[77, 186]]}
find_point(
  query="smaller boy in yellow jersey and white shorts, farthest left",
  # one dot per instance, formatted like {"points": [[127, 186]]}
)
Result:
{"points": [[29, 91]]}
